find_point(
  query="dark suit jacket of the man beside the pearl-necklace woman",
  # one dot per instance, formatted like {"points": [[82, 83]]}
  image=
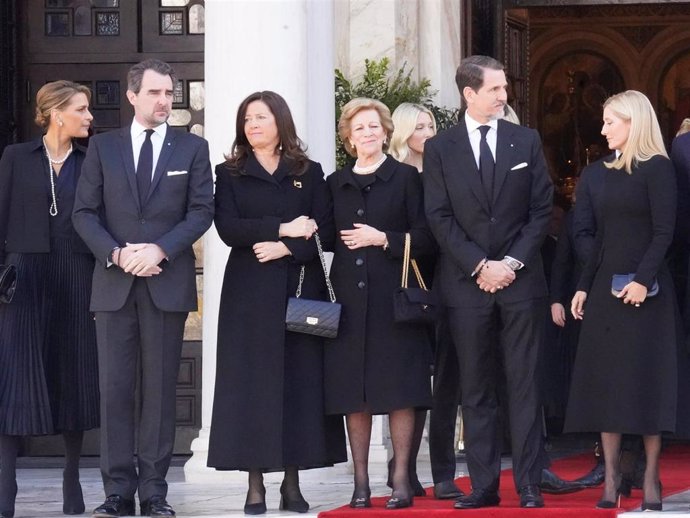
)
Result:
{"points": [[177, 212]]}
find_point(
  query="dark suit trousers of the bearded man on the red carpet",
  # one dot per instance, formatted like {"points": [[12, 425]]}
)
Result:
{"points": [[513, 331]]}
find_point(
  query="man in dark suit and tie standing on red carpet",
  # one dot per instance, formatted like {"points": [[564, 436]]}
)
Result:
{"points": [[488, 202]]}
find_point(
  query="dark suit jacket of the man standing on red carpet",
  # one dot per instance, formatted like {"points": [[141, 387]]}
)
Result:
{"points": [[468, 227]]}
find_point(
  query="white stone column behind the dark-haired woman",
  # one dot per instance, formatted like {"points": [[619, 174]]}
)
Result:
{"points": [[280, 45]]}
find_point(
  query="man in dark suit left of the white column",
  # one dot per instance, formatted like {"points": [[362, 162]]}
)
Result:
{"points": [[144, 197]]}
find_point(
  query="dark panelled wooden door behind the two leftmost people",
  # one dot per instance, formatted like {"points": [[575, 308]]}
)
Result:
{"points": [[94, 42]]}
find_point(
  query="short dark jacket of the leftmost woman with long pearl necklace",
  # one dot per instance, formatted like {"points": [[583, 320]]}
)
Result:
{"points": [[25, 200]]}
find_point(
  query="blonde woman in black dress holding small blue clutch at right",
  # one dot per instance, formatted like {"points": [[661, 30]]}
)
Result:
{"points": [[625, 378]]}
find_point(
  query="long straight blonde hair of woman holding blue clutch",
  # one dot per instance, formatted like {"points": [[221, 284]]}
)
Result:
{"points": [[644, 138]]}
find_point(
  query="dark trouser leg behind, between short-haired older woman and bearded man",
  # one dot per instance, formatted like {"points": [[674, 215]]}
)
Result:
{"points": [[446, 398]]}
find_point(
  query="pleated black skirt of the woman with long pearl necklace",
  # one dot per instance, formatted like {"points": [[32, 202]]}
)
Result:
{"points": [[48, 357]]}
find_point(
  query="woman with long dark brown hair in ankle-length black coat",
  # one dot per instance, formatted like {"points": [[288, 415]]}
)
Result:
{"points": [[268, 410]]}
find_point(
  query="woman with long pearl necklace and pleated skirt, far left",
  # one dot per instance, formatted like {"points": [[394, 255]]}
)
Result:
{"points": [[48, 358]]}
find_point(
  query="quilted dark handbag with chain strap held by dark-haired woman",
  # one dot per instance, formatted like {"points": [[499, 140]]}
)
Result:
{"points": [[313, 317]]}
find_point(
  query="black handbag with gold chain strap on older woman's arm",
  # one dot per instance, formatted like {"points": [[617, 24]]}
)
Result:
{"points": [[413, 305]]}
